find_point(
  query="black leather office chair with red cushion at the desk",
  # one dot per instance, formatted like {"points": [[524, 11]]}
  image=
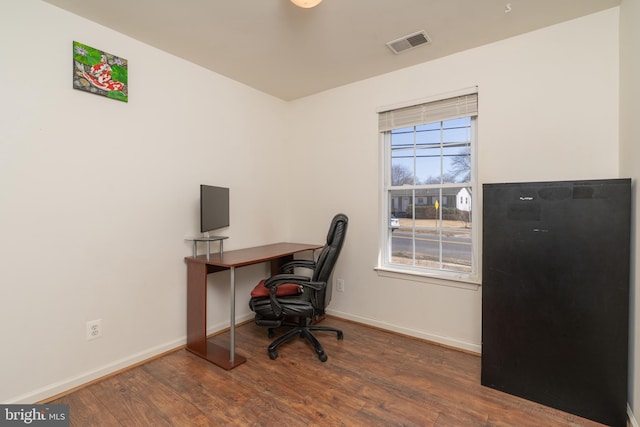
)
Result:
{"points": [[287, 295]]}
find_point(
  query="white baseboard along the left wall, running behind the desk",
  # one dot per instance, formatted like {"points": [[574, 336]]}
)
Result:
{"points": [[67, 384]]}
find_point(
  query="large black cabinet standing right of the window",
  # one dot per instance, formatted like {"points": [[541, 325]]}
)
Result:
{"points": [[555, 294]]}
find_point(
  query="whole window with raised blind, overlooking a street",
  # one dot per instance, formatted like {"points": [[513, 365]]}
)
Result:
{"points": [[429, 152]]}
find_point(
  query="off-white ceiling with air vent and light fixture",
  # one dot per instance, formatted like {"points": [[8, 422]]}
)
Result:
{"points": [[290, 52]]}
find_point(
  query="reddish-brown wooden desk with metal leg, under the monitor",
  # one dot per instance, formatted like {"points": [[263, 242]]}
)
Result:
{"points": [[197, 270]]}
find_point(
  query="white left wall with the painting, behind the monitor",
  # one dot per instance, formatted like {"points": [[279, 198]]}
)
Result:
{"points": [[96, 197]]}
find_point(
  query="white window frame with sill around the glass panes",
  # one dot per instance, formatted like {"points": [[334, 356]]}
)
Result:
{"points": [[470, 279]]}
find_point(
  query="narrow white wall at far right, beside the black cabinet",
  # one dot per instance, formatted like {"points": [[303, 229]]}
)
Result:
{"points": [[629, 161]]}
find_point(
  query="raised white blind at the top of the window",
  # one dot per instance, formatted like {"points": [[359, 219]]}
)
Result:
{"points": [[444, 109]]}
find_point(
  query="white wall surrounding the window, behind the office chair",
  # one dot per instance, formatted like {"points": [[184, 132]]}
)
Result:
{"points": [[548, 110]]}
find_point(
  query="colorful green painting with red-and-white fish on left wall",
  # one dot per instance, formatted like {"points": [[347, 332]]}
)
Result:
{"points": [[100, 72]]}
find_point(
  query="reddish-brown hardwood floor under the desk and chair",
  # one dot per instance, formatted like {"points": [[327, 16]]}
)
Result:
{"points": [[372, 378]]}
